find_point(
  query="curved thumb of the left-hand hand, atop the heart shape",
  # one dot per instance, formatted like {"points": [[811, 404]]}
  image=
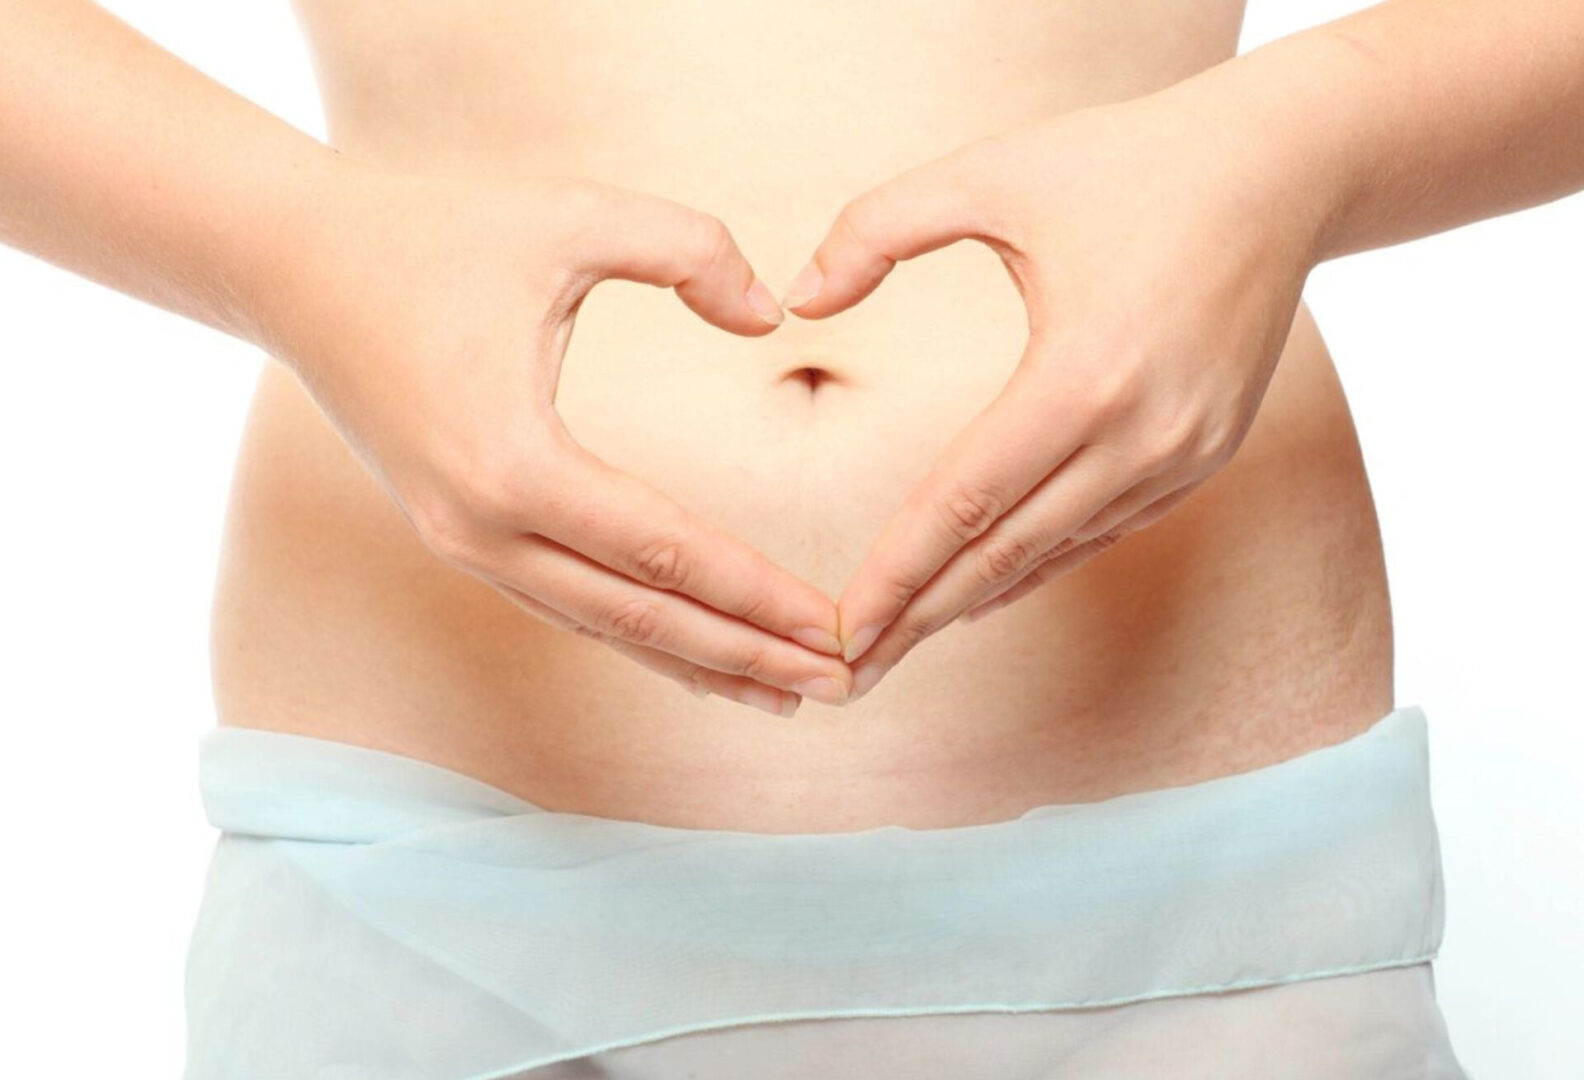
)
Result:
{"points": [[652, 240]]}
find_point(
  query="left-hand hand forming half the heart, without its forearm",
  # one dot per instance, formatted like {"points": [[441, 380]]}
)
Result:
{"points": [[428, 318]]}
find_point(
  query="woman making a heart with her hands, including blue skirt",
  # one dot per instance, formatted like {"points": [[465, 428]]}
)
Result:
{"points": [[1157, 818]]}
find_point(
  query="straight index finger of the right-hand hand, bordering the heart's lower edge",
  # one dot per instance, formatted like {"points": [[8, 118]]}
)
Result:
{"points": [[986, 470]]}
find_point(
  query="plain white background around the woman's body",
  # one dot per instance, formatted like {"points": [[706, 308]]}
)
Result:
{"points": [[120, 422]]}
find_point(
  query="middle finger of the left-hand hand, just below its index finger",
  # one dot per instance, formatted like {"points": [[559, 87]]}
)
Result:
{"points": [[625, 610]]}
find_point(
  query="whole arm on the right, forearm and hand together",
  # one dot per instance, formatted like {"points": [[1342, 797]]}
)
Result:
{"points": [[1409, 120]]}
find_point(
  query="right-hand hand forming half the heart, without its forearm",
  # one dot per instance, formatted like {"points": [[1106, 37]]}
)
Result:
{"points": [[1162, 272]]}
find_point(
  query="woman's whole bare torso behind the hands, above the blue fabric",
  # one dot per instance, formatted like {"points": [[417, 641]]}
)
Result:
{"points": [[1247, 626]]}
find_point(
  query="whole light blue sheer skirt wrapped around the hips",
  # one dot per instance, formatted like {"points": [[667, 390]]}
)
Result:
{"points": [[368, 915]]}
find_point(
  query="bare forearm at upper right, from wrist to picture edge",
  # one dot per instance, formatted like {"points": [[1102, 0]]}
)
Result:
{"points": [[1414, 116]]}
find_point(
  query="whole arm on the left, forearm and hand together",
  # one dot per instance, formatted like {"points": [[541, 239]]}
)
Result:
{"points": [[653, 582]]}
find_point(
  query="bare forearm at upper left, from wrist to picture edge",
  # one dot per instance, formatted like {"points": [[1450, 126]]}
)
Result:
{"points": [[126, 165]]}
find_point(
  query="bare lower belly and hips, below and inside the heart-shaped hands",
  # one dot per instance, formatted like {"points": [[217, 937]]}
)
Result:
{"points": [[1249, 625]]}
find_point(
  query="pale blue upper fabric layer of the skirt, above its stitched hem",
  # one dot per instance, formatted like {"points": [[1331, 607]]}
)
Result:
{"points": [[573, 935]]}
